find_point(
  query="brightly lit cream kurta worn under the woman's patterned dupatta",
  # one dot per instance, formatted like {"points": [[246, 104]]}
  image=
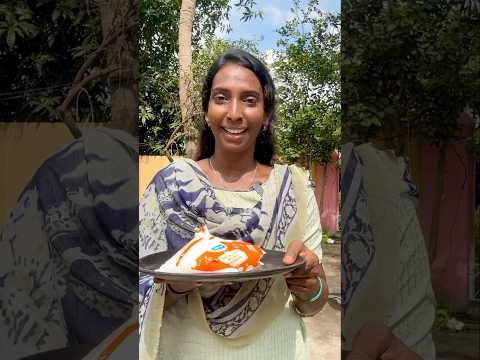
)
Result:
{"points": [[283, 339]]}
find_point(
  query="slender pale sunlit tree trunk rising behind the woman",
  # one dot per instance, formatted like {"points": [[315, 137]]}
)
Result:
{"points": [[186, 76]]}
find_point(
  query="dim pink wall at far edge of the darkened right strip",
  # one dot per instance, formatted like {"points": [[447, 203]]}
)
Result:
{"points": [[450, 264]]}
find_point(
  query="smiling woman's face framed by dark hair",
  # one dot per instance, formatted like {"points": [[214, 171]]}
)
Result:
{"points": [[236, 109]]}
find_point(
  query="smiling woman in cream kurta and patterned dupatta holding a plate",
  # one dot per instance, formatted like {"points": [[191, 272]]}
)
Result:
{"points": [[233, 189]]}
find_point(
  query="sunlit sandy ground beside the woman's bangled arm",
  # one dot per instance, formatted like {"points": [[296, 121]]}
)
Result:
{"points": [[324, 328]]}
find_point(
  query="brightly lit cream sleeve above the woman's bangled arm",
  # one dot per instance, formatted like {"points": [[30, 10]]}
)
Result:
{"points": [[313, 232]]}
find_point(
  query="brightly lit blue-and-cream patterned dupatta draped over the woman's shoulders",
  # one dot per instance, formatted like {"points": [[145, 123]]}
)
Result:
{"points": [[179, 199]]}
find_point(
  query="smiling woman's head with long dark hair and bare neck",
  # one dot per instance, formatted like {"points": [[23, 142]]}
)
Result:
{"points": [[239, 104]]}
